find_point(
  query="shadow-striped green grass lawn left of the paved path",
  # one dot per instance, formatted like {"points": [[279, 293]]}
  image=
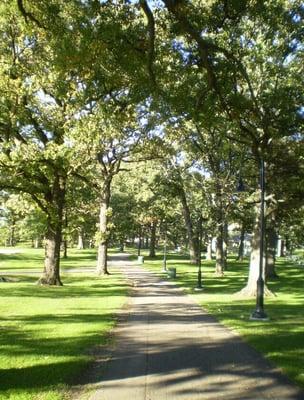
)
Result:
{"points": [[46, 332]]}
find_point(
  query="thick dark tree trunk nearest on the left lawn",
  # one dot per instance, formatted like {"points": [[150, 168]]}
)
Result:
{"points": [[53, 237]]}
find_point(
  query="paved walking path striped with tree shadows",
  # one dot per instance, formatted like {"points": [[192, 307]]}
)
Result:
{"points": [[168, 348]]}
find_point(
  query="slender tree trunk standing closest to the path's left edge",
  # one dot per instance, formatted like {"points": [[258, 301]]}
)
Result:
{"points": [[102, 265]]}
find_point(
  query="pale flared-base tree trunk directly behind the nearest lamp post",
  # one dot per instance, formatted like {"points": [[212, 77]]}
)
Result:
{"points": [[250, 289]]}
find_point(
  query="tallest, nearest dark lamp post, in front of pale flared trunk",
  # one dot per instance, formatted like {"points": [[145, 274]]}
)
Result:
{"points": [[259, 313]]}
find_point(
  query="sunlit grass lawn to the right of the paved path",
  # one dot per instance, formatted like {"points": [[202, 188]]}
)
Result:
{"points": [[282, 338]]}
